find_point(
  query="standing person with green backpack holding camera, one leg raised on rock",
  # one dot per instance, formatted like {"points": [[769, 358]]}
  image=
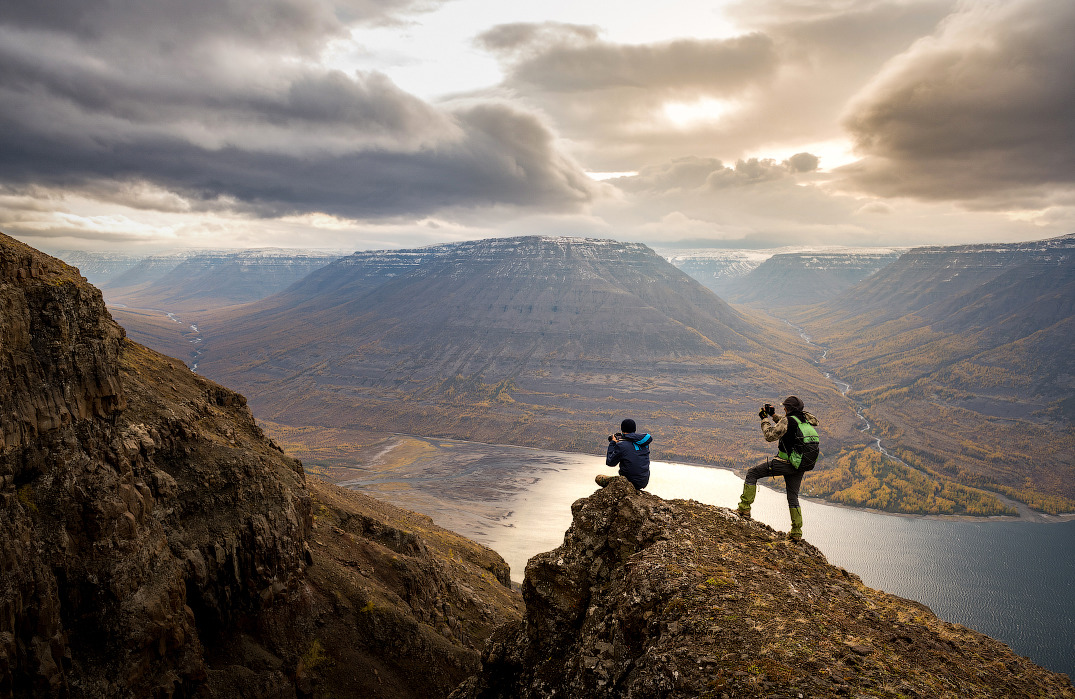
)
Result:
{"points": [[797, 454]]}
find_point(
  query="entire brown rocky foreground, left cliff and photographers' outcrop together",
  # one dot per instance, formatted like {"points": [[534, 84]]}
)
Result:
{"points": [[154, 543]]}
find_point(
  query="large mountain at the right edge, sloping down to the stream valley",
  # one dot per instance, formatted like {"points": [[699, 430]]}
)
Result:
{"points": [[964, 356]]}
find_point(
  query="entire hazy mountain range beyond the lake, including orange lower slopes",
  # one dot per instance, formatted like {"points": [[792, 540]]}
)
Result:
{"points": [[551, 341]]}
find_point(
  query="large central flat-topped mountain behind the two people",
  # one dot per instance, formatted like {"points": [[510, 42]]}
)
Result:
{"points": [[537, 341]]}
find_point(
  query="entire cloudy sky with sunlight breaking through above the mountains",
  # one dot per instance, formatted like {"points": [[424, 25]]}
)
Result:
{"points": [[147, 125]]}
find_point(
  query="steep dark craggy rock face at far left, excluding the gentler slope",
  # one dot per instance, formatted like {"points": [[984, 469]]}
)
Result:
{"points": [[132, 521]]}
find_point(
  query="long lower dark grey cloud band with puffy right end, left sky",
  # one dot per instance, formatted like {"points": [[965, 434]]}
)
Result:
{"points": [[506, 158]]}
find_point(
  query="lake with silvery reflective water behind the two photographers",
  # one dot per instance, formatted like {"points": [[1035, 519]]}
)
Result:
{"points": [[1014, 581]]}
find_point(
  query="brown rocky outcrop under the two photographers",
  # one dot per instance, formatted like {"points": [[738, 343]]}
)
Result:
{"points": [[655, 598]]}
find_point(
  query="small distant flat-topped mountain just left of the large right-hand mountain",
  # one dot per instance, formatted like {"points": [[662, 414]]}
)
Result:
{"points": [[794, 279]]}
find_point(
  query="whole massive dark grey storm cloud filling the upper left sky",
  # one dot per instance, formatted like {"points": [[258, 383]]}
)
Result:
{"points": [[213, 102]]}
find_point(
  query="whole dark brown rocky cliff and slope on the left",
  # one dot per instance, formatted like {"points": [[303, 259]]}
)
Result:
{"points": [[153, 543]]}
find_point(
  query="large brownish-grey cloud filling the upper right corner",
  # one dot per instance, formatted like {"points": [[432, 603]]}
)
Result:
{"points": [[982, 112]]}
